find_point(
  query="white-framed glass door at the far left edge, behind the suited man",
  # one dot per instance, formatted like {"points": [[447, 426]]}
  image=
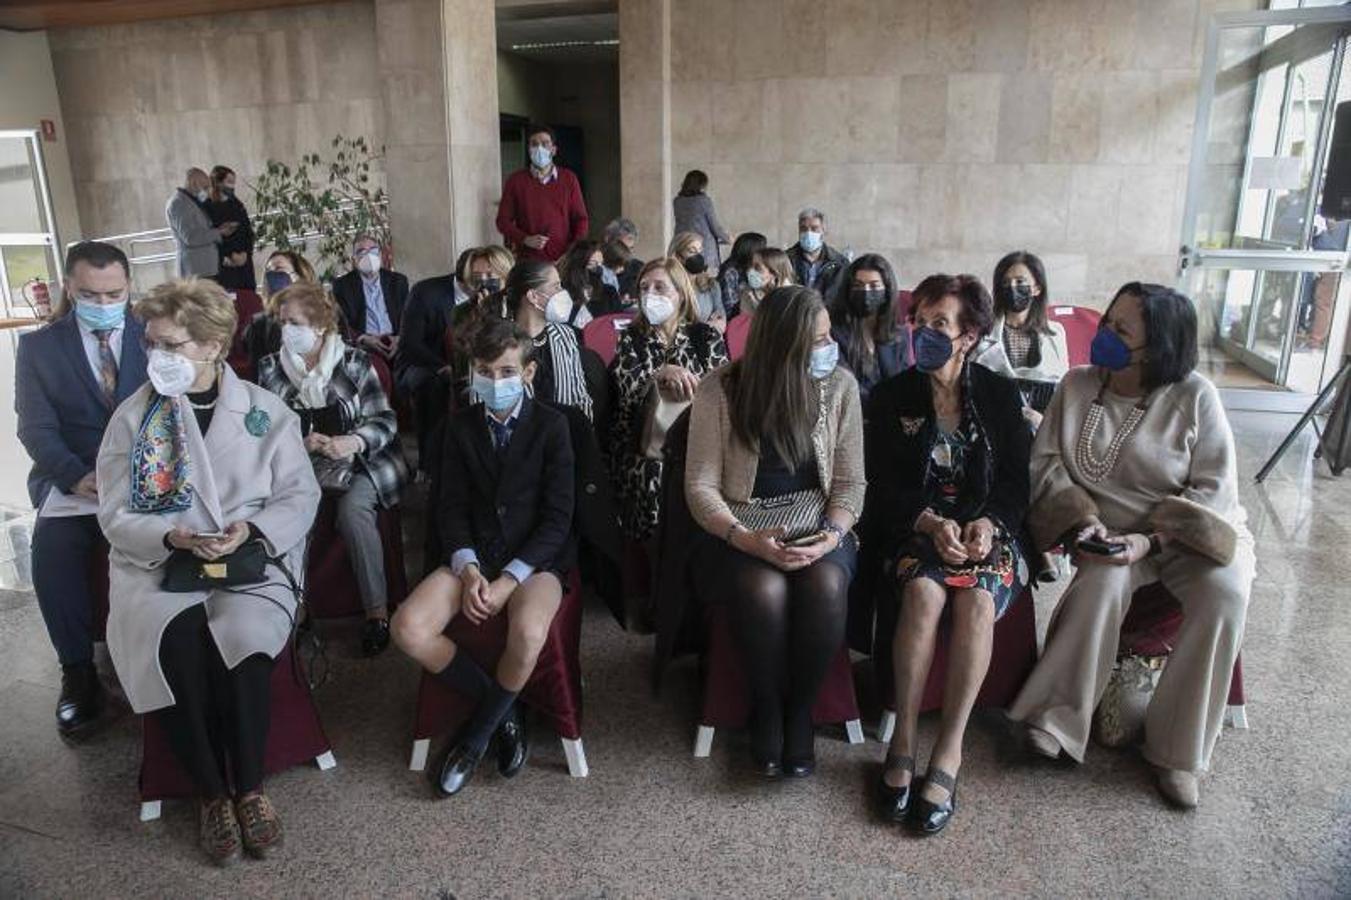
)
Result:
{"points": [[30, 251]]}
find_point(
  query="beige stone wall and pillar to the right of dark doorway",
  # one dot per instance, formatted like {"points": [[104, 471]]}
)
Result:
{"points": [[941, 133]]}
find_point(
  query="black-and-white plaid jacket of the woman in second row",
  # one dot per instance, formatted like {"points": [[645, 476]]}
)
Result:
{"points": [[356, 386]]}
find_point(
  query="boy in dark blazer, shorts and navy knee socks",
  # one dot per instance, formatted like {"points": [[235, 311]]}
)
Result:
{"points": [[506, 513]]}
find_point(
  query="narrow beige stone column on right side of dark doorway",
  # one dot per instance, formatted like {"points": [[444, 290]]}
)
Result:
{"points": [[645, 121]]}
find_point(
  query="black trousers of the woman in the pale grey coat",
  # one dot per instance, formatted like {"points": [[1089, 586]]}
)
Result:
{"points": [[218, 726]]}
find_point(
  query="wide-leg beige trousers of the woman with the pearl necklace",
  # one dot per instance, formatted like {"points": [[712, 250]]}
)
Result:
{"points": [[1188, 709]]}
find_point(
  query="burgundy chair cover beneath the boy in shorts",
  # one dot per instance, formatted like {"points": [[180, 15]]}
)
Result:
{"points": [[555, 690]]}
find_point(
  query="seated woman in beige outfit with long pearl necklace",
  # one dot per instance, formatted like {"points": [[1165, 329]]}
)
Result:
{"points": [[1136, 466]]}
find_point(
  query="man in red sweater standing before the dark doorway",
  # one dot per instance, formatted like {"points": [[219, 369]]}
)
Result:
{"points": [[542, 211]]}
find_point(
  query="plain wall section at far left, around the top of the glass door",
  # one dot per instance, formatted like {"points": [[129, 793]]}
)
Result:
{"points": [[28, 97]]}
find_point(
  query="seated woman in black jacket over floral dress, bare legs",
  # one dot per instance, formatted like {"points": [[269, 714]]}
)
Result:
{"points": [[948, 455]]}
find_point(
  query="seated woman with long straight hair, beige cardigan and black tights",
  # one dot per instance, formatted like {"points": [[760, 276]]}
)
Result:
{"points": [[775, 475]]}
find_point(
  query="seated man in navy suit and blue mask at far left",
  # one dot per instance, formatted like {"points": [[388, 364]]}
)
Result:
{"points": [[70, 378]]}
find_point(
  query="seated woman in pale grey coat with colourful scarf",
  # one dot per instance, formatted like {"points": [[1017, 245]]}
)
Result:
{"points": [[195, 466]]}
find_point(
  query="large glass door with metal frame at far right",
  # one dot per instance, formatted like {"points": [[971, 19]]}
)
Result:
{"points": [[1265, 226]]}
